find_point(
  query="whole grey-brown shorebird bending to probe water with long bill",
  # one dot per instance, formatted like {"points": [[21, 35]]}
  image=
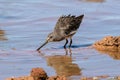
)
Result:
{"points": [[65, 28]]}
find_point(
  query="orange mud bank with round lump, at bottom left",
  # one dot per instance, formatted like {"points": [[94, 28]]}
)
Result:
{"points": [[38, 74]]}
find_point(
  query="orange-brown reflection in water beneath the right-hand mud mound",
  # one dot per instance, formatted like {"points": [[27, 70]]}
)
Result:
{"points": [[113, 54]]}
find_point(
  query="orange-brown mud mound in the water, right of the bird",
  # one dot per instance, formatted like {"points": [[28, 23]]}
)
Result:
{"points": [[109, 43]]}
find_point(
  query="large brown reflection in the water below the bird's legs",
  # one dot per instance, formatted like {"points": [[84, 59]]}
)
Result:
{"points": [[63, 65]]}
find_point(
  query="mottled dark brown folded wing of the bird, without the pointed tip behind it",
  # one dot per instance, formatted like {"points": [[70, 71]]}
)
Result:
{"points": [[67, 25]]}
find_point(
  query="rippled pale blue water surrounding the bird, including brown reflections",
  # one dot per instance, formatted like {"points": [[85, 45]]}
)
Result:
{"points": [[25, 24]]}
